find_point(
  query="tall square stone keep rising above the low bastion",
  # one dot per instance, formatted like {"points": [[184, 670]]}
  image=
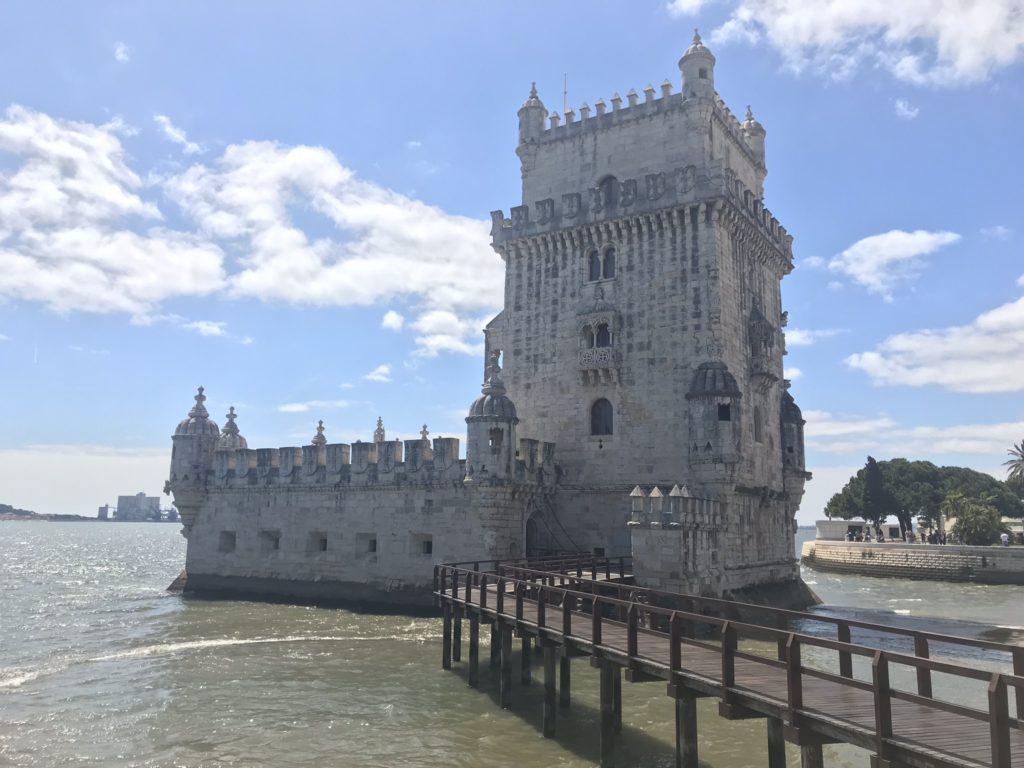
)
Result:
{"points": [[643, 326]]}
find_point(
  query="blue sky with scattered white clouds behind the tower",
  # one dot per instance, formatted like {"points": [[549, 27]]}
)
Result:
{"points": [[289, 205]]}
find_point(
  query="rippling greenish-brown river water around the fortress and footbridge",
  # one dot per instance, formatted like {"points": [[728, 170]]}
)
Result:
{"points": [[101, 667]]}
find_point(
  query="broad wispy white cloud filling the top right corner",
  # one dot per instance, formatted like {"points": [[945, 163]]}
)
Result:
{"points": [[936, 42]]}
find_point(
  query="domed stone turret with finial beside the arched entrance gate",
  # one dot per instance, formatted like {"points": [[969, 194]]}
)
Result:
{"points": [[491, 437]]}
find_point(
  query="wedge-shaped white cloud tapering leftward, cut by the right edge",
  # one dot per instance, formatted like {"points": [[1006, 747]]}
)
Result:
{"points": [[982, 357]]}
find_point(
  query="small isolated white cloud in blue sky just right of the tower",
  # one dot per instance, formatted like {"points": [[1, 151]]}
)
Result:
{"points": [[879, 263]]}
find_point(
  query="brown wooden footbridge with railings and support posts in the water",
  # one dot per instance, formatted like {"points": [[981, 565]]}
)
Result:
{"points": [[588, 608]]}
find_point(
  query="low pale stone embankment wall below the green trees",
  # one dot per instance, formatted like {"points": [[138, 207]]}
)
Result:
{"points": [[940, 563]]}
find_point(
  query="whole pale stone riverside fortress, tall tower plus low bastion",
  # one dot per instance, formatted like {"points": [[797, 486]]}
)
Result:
{"points": [[643, 334]]}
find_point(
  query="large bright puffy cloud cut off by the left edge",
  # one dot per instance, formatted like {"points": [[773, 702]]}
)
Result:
{"points": [[68, 207]]}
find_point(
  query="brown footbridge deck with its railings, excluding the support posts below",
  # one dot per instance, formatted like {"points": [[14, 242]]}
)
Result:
{"points": [[582, 606]]}
